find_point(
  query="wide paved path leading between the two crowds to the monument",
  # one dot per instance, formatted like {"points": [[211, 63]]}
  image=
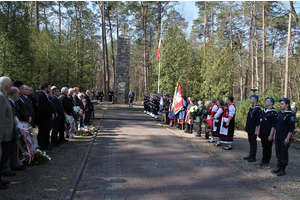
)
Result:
{"points": [[133, 159]]}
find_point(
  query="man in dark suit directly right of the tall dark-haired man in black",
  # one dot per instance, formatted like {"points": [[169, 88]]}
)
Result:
{"points": [[59, 120]]}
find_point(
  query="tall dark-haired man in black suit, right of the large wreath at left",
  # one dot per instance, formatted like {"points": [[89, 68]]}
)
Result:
{"points": [[45, 116]]}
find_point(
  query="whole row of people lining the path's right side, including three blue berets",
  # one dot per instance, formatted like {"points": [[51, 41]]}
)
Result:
{"points": [[218, 118]]}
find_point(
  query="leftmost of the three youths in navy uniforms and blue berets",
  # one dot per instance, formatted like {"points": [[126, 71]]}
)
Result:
{"points": [[252, 127]]}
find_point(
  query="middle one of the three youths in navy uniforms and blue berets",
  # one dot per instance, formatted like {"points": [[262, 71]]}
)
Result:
{"points": [[268, 119]]}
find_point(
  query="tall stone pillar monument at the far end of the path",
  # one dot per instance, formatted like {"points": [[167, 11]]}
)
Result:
{"points": [[121, 86]]}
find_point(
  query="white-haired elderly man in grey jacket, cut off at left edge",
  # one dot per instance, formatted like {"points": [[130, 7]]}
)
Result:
{"points": [[6, 125]]}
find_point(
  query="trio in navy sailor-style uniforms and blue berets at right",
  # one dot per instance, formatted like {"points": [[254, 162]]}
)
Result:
{"points": [[270, 126]]}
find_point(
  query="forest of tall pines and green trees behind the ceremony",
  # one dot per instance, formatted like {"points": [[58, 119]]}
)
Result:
{"points": [[233, 47]]}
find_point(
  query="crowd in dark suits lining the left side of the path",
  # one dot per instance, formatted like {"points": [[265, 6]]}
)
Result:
{"points": [[45, 109]]}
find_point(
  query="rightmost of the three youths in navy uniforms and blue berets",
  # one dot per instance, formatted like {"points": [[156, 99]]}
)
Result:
{"points": [[284, 129]]}
